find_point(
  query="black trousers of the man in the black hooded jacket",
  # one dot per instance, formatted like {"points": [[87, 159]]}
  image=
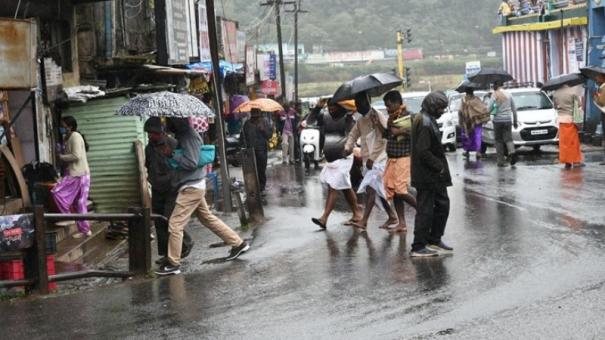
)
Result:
{"points": [[431, 216]]}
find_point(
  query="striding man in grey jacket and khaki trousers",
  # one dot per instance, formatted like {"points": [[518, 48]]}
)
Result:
{"points": [[190, 182]]}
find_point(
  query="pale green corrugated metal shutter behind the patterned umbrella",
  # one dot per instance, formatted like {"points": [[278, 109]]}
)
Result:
{"points": [[112, 159]]}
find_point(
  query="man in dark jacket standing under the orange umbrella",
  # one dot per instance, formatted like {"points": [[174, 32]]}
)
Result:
{"points": [[255, 134]]}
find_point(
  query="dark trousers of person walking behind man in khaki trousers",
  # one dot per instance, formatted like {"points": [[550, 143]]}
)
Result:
{"points": [[163, 203]]}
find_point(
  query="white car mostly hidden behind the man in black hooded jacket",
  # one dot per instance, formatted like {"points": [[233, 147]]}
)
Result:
{"points": [[413, 101]]}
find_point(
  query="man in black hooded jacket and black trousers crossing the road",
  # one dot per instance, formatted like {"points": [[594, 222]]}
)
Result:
{"points": [[430, 177]]}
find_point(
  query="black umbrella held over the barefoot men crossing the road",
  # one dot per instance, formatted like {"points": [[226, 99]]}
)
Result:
{"points": [[375, 84]]}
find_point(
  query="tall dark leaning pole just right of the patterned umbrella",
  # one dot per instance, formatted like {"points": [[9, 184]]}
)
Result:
{"points": [[218, 105]]}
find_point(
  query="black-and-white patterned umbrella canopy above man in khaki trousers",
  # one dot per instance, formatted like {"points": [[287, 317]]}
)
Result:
{"points": [[165, 104]]}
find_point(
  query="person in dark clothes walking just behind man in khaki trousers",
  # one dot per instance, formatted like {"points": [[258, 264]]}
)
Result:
{"points": [[159, 175]]}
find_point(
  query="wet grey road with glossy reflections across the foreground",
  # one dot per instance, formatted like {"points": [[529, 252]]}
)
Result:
{"points": [[528, 263]]}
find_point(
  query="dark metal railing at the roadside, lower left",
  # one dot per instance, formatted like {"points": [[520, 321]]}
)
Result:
{"points": [[139, 249]]}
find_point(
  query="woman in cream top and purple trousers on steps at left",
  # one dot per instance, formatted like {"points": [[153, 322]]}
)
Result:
{"points": [[71, 193]]}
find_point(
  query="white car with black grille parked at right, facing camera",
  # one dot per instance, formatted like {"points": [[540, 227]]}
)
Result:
{"points": [[537, 120]]}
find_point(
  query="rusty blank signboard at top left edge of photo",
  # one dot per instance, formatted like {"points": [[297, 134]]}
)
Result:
{"points": [[18, 54]]}
